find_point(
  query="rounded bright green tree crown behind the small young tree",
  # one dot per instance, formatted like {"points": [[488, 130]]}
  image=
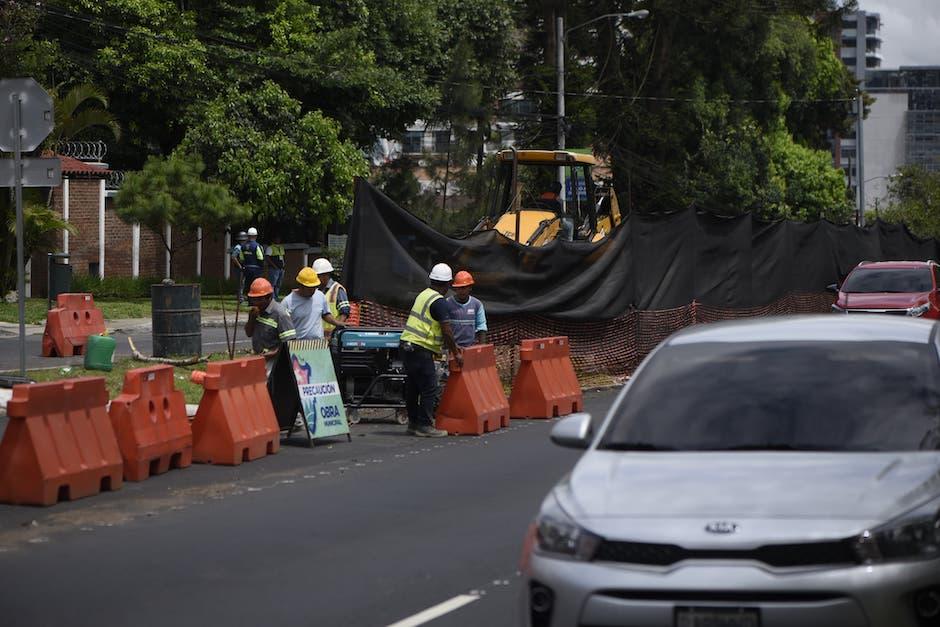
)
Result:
{"points": [[280, 161]]}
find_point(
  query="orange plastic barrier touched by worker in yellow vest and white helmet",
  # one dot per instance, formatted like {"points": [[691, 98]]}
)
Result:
{"points": [[473, 401]]}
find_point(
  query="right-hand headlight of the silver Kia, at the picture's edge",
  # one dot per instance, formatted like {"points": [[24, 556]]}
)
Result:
{"points": [[915, 535]]}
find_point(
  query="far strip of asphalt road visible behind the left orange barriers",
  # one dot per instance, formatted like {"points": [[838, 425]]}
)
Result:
{"points": [[213, 340]]}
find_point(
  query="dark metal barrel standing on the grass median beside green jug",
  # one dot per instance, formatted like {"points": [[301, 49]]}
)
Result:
{"points": [[177, 320]]}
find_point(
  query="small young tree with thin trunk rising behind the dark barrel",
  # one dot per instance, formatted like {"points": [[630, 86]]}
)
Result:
{"points": [[171, 191]]}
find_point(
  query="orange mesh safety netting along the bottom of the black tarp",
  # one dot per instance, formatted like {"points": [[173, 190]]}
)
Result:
{"points": [[614, 346]]}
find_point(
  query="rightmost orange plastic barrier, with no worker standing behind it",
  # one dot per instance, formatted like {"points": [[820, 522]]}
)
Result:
{"points": [[546, 384]]}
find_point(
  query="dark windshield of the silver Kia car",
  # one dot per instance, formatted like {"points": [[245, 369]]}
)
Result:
{"points": [[838, 396]]}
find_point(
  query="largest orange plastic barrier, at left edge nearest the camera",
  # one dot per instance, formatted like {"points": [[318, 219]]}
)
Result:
{"points": [[59, 444]]}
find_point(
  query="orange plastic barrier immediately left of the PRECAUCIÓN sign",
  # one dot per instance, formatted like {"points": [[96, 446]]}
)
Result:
{"points": [[235, 421]]}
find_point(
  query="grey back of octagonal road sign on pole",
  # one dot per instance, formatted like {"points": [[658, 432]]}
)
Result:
{"points": [[36, 119]]}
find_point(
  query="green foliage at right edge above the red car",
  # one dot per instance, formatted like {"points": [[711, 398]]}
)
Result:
{"points": [[914, 200]]}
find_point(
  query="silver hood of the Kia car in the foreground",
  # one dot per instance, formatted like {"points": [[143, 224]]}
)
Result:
{"points": [[825, 493]]}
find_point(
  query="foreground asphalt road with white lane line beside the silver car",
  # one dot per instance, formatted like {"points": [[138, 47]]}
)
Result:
{"points": [[371, 532]]}
